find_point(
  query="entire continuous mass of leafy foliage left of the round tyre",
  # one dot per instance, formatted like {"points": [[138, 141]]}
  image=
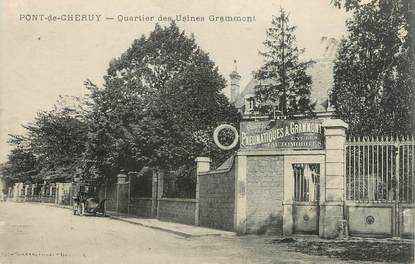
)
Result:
{"points": [[158, 107]]}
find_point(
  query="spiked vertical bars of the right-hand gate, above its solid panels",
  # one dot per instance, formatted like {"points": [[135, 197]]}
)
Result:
{"points": [[380, 169]]}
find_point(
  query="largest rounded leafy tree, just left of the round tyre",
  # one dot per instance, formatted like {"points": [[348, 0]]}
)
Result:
{"points": [[159, 105]]}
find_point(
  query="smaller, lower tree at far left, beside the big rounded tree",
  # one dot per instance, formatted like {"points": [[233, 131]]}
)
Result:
{"points": [[54, 144]]}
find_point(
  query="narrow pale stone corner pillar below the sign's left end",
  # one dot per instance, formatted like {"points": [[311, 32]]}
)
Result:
{"points": [[240, 195]]}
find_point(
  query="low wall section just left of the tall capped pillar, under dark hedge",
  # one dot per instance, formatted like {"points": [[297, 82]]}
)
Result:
{"points": [[177, 210]]}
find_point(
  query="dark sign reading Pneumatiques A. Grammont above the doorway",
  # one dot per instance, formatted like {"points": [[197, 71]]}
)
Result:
{"points": [[281, 134]]}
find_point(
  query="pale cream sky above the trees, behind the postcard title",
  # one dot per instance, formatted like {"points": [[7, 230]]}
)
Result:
{"points": [[42, 59]]}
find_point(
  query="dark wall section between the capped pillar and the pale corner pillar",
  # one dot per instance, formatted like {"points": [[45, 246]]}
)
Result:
{"points": [[217, 199]]}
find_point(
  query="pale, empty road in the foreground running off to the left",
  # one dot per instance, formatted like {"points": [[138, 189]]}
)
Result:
{"points": [[35, 233]]}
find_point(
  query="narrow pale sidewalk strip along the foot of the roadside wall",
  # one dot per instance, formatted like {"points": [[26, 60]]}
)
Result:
{"points": [[175, 228]]}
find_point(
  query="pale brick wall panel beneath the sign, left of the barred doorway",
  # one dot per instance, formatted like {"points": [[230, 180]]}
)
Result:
{"points": [[264, 194]]}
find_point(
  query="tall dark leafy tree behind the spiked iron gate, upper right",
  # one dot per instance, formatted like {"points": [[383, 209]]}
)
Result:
{"points": [[373, 83]]}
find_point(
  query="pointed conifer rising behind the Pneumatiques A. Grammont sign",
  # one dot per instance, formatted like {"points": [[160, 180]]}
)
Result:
{"points": [[283, 79]]}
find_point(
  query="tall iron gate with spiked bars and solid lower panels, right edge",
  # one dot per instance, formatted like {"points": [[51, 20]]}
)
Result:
{"points": [[379, 186]]}
